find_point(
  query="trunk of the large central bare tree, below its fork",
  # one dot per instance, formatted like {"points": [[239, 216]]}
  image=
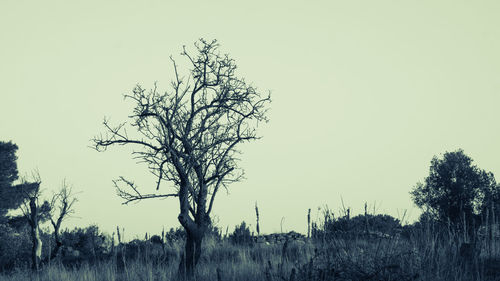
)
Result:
{"points": [[191, 255]]}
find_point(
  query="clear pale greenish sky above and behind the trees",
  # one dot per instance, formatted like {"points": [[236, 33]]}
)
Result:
{"points": [[364, 94]]}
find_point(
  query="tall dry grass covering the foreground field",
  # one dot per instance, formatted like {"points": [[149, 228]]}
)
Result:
{"points": [[423, 254]]}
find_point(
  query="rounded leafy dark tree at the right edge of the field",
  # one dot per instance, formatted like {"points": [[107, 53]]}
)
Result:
{"points": [[455, 191]]}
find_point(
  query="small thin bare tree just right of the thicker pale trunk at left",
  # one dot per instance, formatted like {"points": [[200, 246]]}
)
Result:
{"points": [[61, 207]]}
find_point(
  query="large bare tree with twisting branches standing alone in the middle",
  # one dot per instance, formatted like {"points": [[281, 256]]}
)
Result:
{"points": [[188, 136]]}
